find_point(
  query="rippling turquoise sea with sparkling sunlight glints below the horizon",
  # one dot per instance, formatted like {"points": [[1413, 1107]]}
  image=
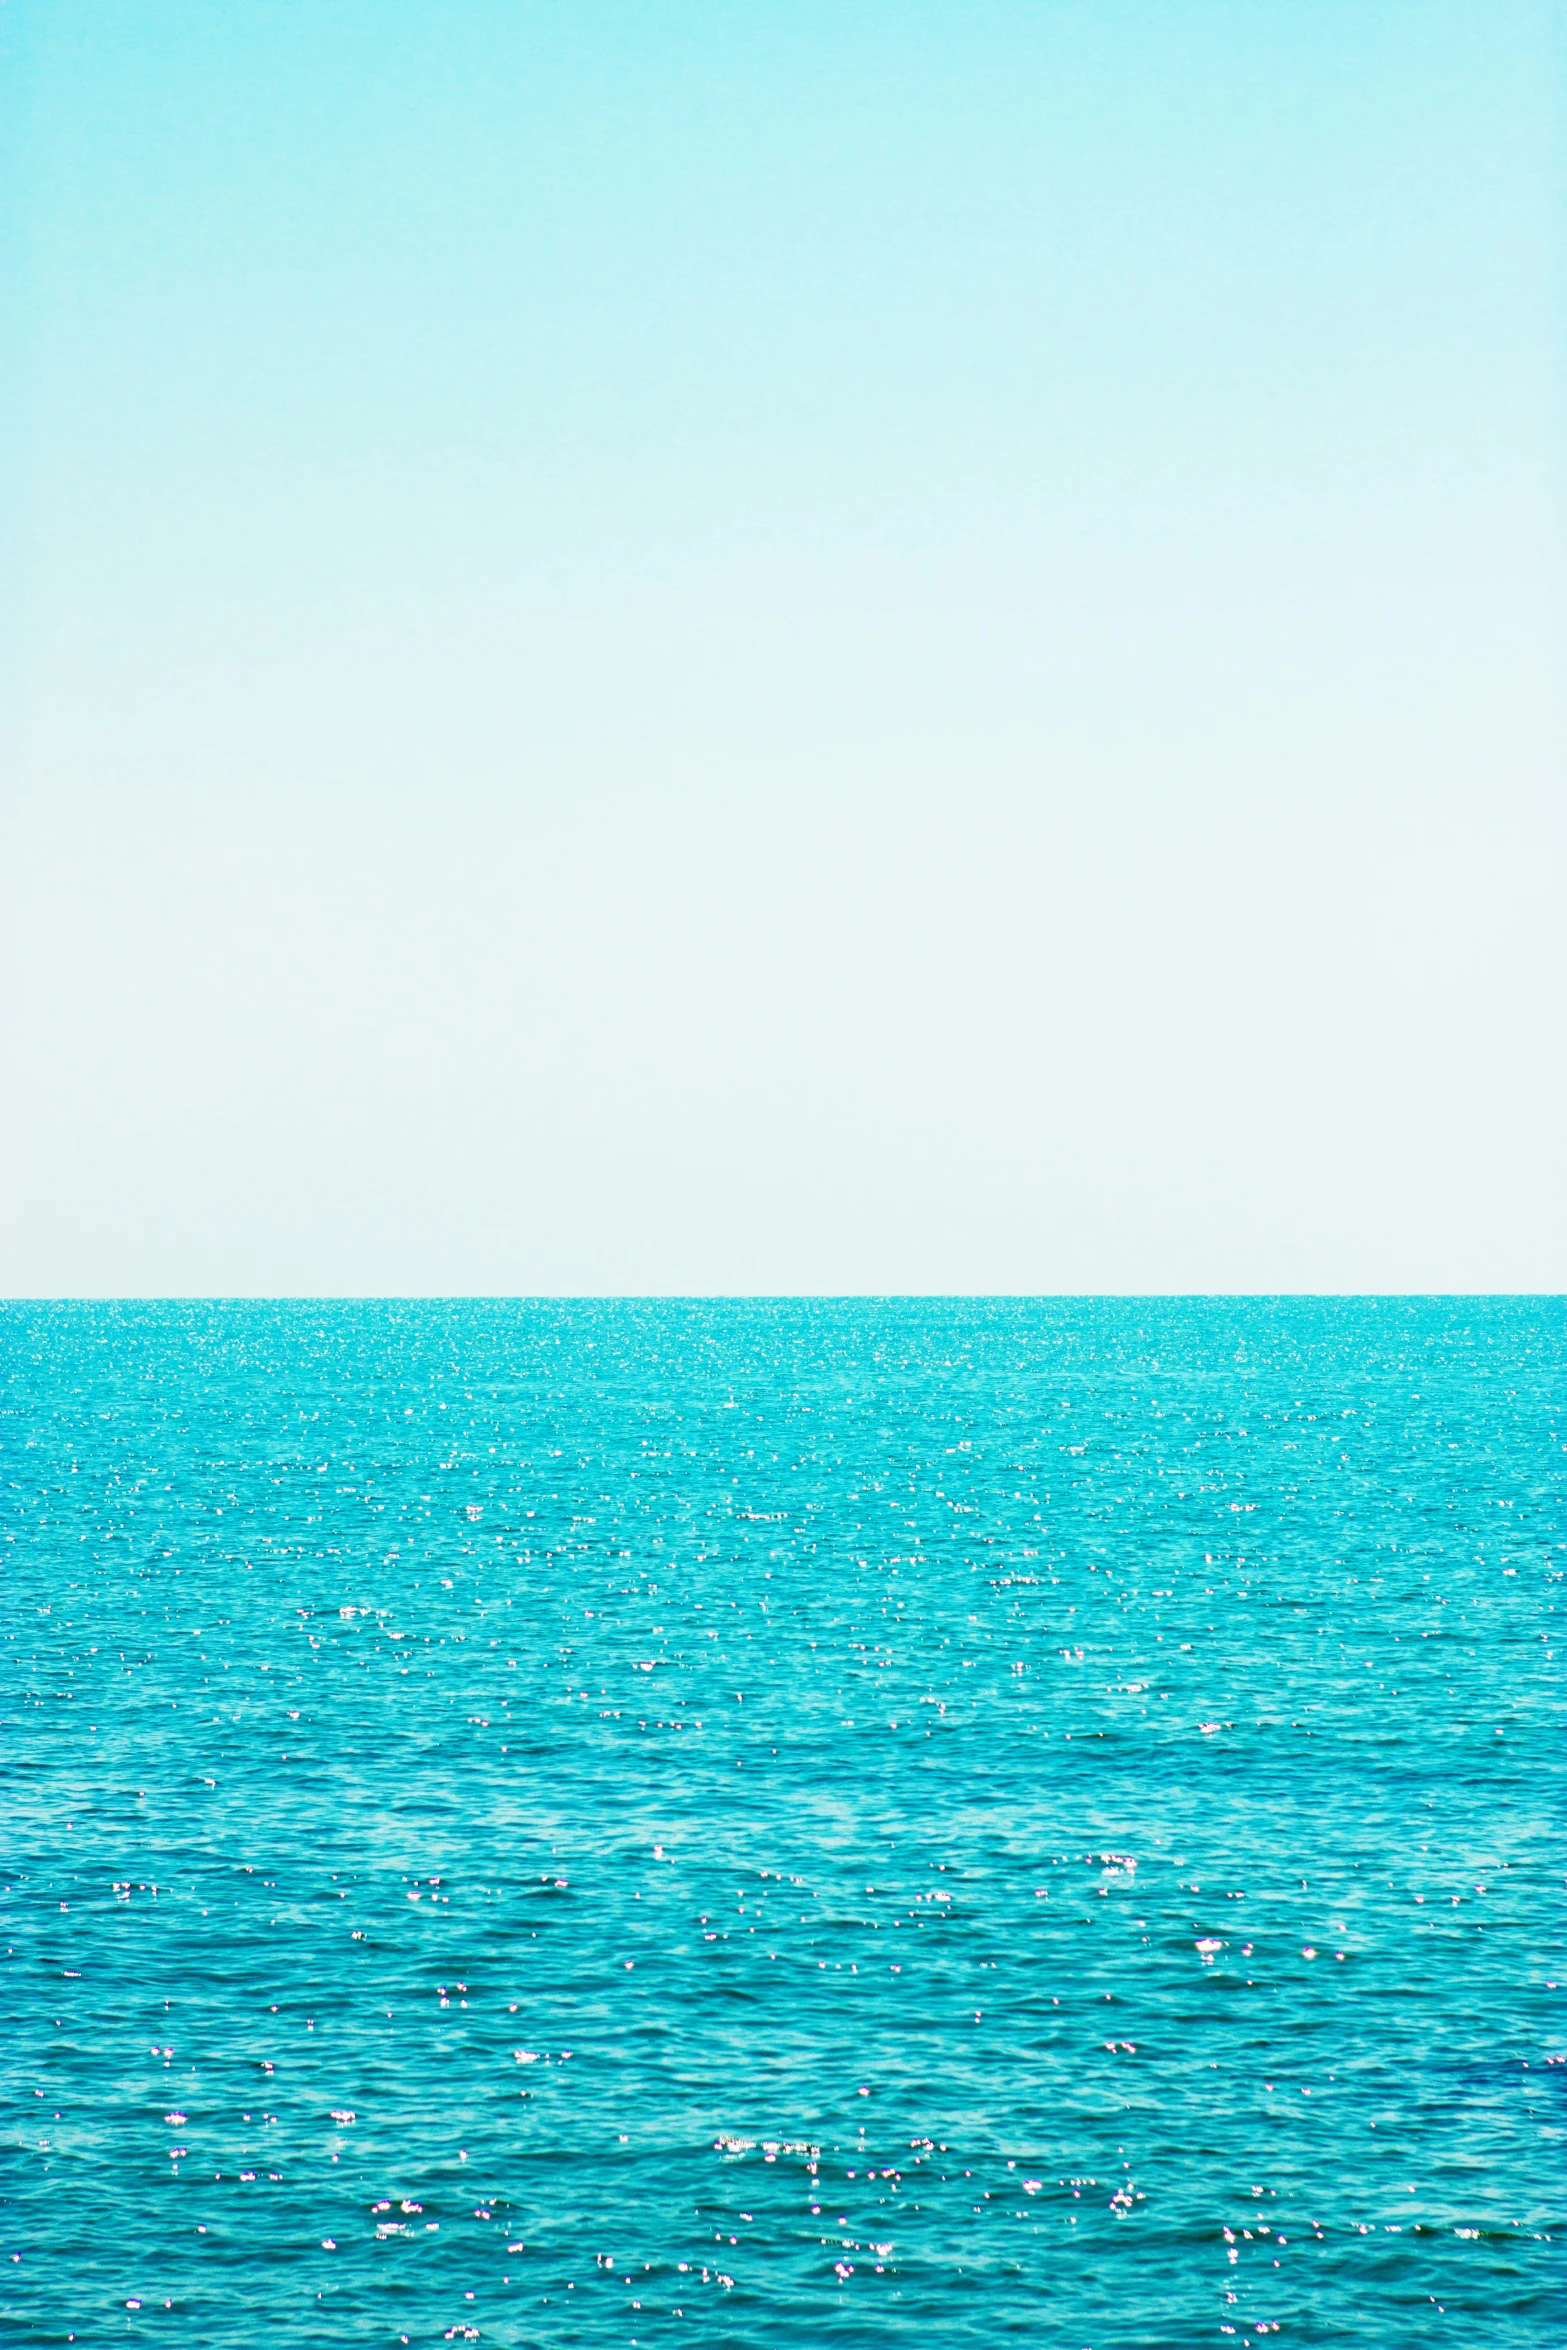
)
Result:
{"points": [[701, 1822]]}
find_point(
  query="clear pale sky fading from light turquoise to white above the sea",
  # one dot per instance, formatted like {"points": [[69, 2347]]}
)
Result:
{"points": [[781, 647]]}
